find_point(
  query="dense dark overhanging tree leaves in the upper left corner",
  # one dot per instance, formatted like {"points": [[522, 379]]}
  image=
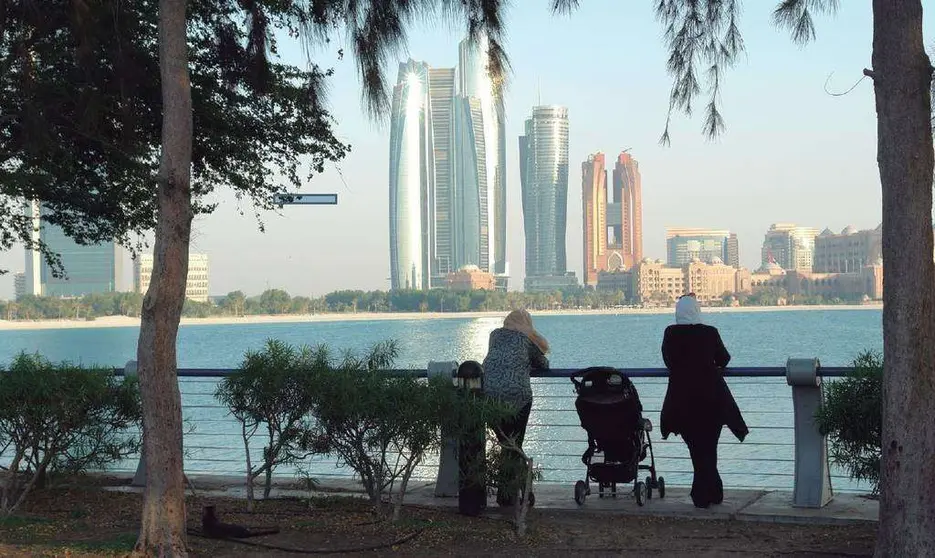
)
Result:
{"points": [[82, 114]]}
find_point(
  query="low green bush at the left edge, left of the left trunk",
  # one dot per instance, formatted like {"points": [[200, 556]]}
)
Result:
{"points": [[62, 417]]}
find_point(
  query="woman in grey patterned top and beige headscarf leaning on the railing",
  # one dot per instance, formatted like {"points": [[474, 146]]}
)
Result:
{"points": [[515, 350]]}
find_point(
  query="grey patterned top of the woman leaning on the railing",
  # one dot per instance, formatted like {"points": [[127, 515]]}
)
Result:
{"points": [[511, 356]]}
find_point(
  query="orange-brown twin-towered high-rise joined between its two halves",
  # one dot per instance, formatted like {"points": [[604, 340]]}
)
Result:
{"points": [[613, 224]]}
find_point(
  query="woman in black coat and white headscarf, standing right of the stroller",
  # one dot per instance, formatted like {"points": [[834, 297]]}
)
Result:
{"points": [[698, 403]]}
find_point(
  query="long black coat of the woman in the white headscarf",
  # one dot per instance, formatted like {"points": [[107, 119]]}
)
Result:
{"points": [[697, 394]]}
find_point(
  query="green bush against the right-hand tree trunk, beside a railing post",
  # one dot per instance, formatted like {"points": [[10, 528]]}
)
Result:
{"points": [[852, 417]]}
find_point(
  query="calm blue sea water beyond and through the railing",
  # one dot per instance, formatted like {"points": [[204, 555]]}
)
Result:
{"points": [[555, 438]]}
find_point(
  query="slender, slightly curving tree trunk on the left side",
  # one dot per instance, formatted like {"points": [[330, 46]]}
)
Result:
{"points": [[163, 526]]}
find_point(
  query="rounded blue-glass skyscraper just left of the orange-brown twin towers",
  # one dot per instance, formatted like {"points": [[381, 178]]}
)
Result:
{"points": [[543, 159]]}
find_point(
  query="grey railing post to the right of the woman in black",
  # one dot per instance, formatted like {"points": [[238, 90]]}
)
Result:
{"points": [[812, 484]]}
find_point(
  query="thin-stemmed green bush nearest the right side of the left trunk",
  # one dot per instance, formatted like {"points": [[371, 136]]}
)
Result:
{"points": [[271, 391]]}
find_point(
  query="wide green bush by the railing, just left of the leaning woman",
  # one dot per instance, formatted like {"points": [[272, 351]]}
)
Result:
{"points": [[382, 426]]}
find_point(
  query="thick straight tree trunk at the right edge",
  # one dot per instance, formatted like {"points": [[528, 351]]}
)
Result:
{"points": [[902, 77]]}
